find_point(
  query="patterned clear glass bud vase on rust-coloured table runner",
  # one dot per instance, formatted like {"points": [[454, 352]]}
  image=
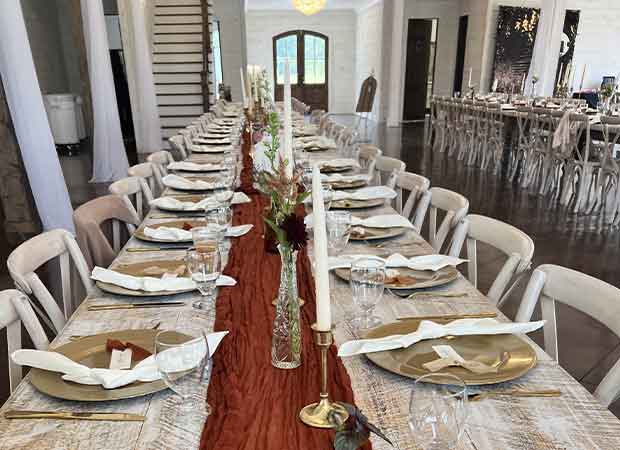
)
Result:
{"points": [[286, 340]]}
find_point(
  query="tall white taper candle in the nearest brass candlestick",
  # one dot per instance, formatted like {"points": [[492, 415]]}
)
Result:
{"points": [[321, 270]]}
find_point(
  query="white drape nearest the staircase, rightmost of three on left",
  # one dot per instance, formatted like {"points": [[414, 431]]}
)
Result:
{"points": [[137, 52]]}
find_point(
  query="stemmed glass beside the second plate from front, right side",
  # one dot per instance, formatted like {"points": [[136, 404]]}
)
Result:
{"points": [[367, 285]]}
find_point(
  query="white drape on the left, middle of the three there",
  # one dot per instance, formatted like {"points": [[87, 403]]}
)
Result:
{"points": [[109, 156]]}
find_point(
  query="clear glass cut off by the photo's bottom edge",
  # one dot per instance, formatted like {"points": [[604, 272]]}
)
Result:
{"points": [[438, 412]]}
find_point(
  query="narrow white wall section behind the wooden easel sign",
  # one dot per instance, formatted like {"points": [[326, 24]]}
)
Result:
{"points": [[368, 52]]}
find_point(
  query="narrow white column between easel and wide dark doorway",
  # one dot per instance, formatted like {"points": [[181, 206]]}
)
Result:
{"points": [[395, 111]]}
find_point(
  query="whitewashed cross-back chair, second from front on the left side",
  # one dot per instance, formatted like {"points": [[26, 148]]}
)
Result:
{"points": [[34, 253]]}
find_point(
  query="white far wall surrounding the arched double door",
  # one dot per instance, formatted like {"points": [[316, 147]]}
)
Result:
{"points": [[338, 25]]}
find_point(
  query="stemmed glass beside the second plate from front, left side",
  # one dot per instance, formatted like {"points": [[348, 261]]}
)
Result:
{"points": [[205, 266]]}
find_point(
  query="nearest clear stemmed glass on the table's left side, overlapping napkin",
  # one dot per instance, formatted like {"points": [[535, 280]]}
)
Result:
{"points": [[182, 360]]}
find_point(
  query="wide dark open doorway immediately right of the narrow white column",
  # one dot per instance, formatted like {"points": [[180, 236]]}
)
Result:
{"points": [[420, 72]]}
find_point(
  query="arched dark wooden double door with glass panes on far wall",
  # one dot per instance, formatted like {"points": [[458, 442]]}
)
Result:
{"points": [[308, 54]]}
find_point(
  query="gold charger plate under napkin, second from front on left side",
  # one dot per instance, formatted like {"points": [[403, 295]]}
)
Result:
{"points": [[146, 269]]}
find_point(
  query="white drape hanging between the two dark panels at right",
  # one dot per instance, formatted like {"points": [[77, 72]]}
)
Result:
{"points": [[547, 47]]}
